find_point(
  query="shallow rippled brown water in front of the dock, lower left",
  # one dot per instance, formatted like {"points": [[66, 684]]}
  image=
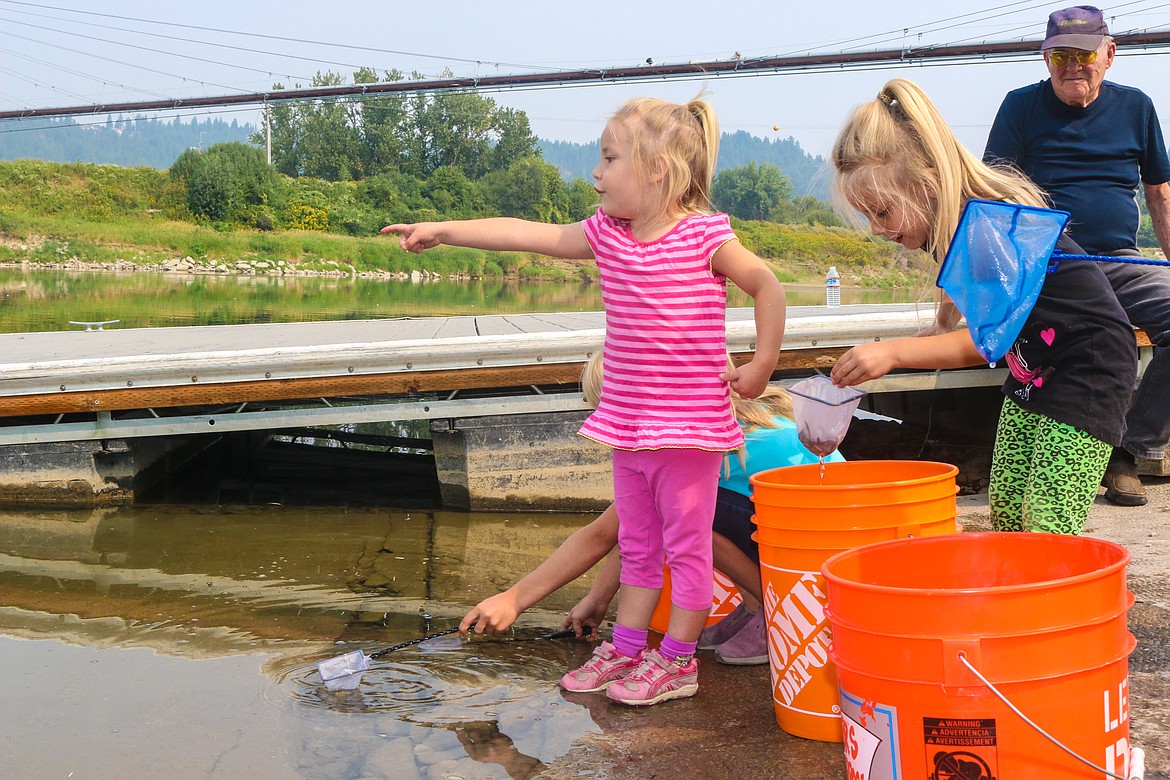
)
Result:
{"points": [[183, 643]]}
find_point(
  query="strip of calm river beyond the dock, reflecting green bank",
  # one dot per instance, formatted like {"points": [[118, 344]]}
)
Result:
{"points": [[46, 301]]}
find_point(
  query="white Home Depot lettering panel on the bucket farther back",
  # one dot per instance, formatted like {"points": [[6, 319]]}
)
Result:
{"points": [[799, 640]]}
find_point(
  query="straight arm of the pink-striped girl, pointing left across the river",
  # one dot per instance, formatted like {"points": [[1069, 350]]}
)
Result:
{"points": [[500, 234]]}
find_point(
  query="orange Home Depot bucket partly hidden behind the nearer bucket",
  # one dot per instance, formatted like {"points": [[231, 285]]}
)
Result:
{"points": [[806, 516]]}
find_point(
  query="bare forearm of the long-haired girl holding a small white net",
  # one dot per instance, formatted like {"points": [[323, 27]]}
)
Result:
{"points": [[866, 362]]}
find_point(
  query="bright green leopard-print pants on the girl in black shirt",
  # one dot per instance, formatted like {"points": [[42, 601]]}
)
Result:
{"points": [[1044, 474]]}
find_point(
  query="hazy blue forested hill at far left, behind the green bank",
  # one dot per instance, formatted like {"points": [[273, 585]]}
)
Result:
{"points": [[132, 143]]}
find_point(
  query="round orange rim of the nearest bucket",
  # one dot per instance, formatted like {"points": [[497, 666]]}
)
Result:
{"points": [[973, 539]]}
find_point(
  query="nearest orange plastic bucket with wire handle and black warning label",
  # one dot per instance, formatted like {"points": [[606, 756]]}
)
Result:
{"points": [[1041, 618]]}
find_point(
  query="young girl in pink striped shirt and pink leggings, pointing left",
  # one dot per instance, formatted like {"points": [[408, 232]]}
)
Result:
{"points": [[665, 410]]}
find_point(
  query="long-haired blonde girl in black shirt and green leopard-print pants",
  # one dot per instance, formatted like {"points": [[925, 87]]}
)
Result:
{"points": [[1072, 367]]}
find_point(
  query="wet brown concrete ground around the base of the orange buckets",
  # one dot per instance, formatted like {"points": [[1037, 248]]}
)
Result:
{"points": [[728, 730]]}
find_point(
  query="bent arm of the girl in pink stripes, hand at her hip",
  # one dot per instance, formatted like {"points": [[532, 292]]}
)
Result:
{"points": [[753, 275]]}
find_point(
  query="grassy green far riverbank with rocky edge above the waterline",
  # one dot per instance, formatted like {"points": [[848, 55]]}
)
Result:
{"points": [[56, 216]]}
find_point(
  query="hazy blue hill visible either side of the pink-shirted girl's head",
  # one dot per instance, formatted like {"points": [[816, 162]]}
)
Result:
{"points": [[809, 175]]}
